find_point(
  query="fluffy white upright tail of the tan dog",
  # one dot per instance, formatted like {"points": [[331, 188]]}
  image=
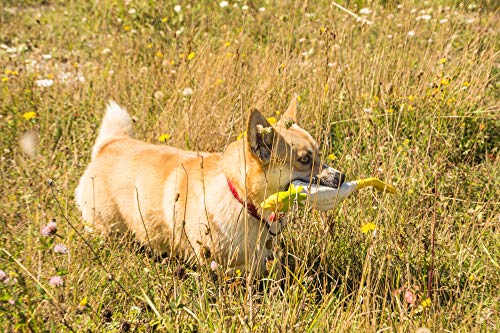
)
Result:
{"points": [[116, 122]]}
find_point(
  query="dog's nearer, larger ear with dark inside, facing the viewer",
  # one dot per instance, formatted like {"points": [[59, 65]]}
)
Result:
{"points": [[260, 136]]}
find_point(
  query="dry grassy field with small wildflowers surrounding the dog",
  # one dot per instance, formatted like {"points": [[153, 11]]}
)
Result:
{"points": [[406, 91]]}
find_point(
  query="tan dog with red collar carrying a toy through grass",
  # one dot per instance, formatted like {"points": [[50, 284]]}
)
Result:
{"points": [[198, 205]]}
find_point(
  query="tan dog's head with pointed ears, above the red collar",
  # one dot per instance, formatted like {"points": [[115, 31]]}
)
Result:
{"points": [[284, 152]]}
